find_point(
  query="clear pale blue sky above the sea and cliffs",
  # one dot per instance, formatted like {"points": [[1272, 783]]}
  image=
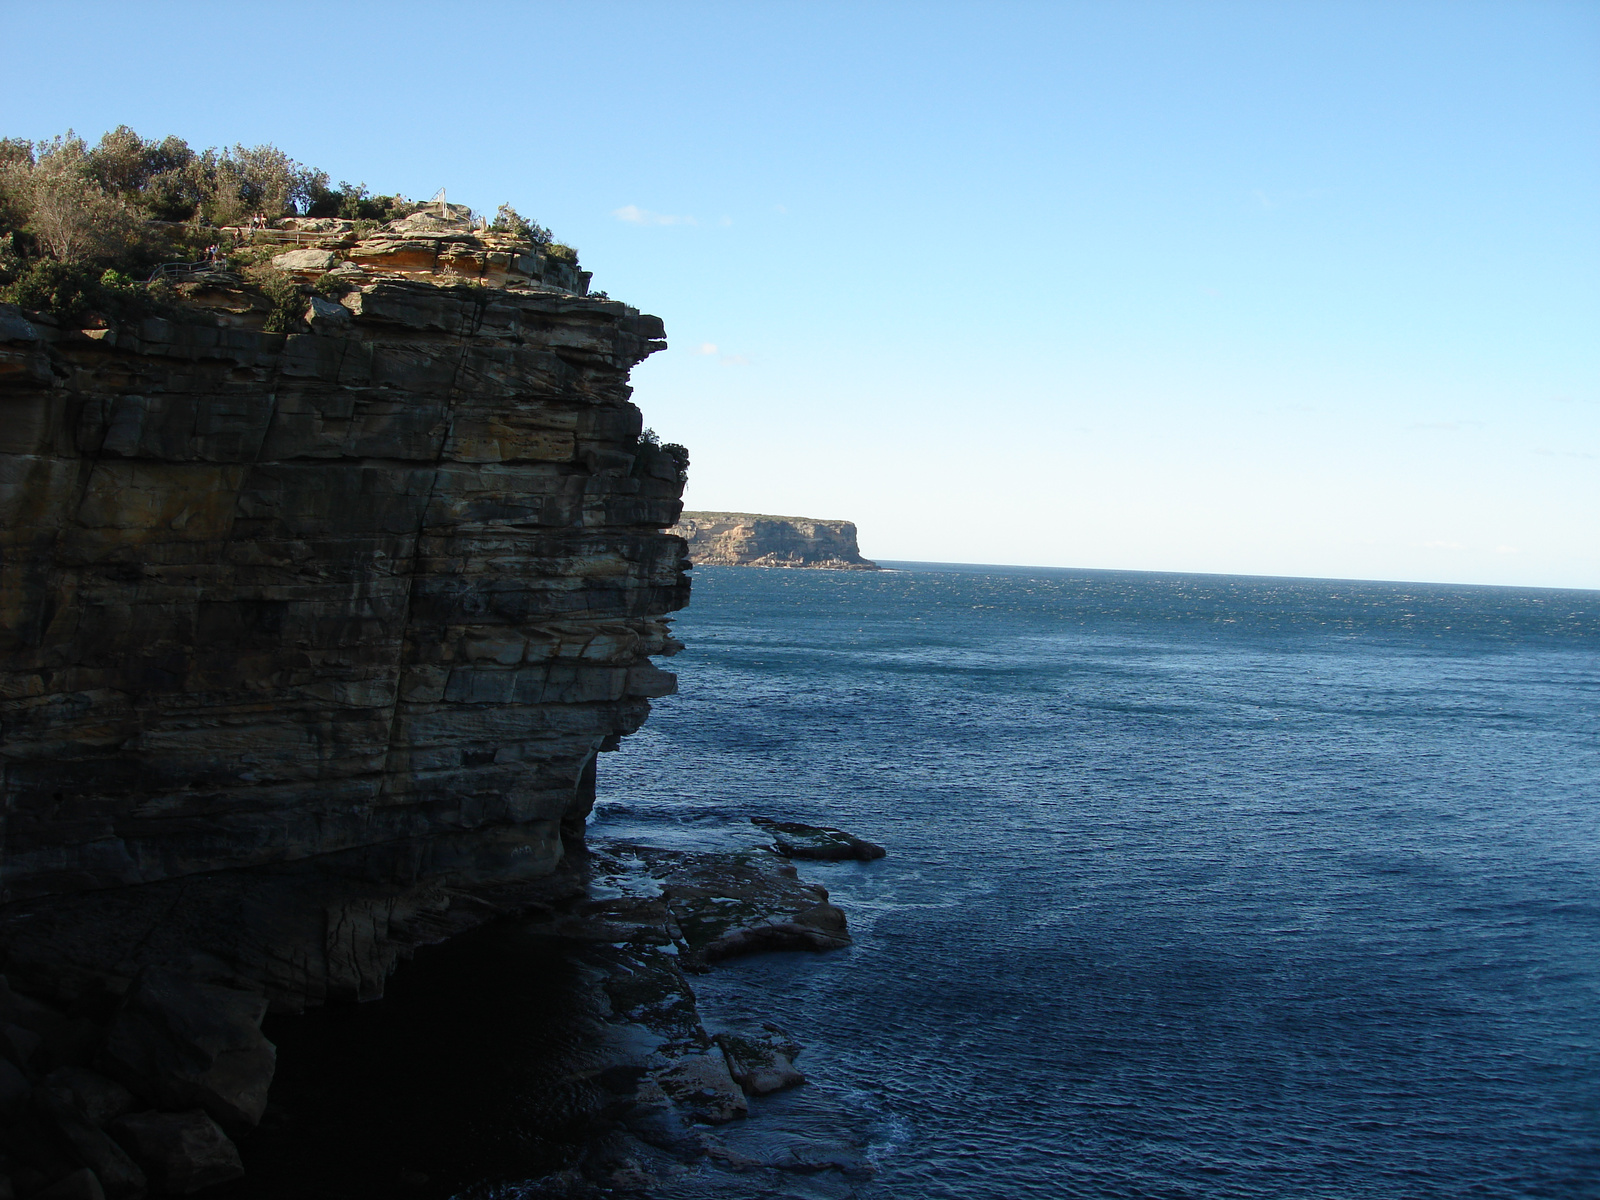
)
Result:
{"points": [[1279, 289]]}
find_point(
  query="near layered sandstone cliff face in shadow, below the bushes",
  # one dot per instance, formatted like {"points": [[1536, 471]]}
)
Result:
{"points": [[303, 634]]}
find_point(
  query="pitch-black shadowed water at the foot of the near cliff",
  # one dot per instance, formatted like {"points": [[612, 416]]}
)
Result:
{"points": [[466, 1073]]}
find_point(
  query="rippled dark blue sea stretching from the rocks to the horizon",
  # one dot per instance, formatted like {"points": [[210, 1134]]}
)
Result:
{"points": [[1198, 886]]}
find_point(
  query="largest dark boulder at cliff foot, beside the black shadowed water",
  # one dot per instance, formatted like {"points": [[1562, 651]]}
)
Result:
{"points": [[182, 1044]]}
